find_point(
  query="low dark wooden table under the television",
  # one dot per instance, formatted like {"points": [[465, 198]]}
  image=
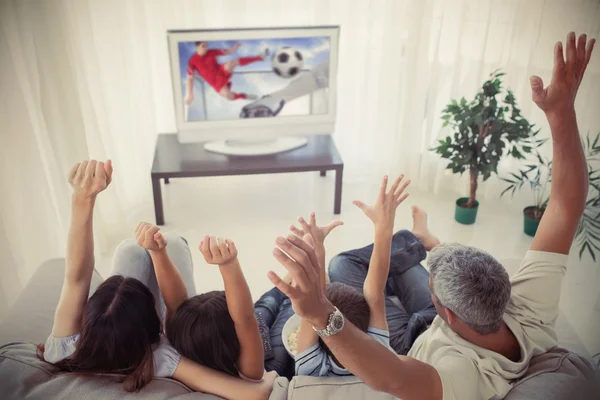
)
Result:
{"points": [[189, 160]]}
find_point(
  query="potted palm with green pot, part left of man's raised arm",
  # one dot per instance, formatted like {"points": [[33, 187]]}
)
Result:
{"points": [[537, 176]]}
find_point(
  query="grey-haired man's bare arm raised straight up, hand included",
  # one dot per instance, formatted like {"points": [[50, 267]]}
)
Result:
{"points": [[569, 169]]}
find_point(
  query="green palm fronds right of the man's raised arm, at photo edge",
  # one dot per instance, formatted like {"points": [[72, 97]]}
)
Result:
{"points": [[588, 232]]}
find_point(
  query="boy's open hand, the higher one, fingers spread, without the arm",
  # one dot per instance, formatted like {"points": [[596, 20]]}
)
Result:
{"points": [[383, 212]]}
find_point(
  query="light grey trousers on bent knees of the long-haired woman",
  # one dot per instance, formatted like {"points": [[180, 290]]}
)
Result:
{"points": [[133, 261]]}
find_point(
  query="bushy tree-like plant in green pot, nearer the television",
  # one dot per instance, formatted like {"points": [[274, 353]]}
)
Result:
{"points": [[485, 129]]}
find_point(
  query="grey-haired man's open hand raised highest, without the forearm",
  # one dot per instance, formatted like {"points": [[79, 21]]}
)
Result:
{"points": [[559, 96]]}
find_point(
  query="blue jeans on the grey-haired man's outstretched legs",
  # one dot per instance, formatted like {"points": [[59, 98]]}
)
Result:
{"points": [[407, 280]]}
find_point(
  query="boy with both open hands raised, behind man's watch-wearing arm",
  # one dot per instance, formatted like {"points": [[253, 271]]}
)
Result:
{"points": [[365, 310]]}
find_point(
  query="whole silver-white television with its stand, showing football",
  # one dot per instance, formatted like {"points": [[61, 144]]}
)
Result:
{"points": [[254, 91]]}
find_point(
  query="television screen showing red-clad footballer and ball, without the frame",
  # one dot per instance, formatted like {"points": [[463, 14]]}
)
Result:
{"points": [[223, 80]]}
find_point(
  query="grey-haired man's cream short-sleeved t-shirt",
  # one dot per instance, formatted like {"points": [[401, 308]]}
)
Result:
{"points": [[468, 371]]}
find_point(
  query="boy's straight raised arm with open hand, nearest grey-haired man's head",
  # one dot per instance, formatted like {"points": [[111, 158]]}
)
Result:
{"points": [[382, 213]]}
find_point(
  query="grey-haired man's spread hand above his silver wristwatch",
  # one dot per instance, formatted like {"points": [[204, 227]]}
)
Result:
{"points": [[308, 300]]}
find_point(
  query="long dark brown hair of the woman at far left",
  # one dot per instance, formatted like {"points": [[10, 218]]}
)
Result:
{"points": [[119, 327]]}
